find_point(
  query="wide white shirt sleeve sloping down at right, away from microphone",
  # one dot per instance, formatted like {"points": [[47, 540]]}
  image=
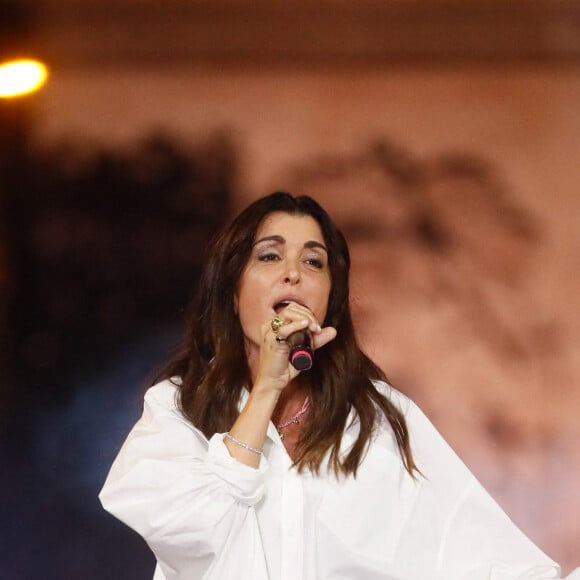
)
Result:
{"points": [[478, 541]]}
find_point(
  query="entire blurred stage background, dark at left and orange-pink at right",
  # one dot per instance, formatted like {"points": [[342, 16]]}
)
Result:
{"points": [[444, 137]]}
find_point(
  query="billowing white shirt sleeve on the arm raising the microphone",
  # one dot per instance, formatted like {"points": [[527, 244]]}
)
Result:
{"points": [[190, 500]]}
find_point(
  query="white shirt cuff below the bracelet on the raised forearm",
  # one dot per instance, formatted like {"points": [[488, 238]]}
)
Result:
{"points": [[245, 483]]}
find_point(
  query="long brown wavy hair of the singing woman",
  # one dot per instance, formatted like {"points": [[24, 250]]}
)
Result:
{"points": [[212, 363]]}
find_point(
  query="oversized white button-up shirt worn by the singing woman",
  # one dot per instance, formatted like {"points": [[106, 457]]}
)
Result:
{"points": [[207, 516]]}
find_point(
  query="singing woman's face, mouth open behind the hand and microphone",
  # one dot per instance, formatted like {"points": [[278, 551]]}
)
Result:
{"points": [[288, 263]]}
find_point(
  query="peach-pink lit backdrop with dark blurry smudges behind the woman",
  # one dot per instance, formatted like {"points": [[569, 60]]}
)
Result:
{"points": [[482, 331]]}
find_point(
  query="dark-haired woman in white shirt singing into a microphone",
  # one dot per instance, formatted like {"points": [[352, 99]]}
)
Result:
{"points": [[244, 467]]}
